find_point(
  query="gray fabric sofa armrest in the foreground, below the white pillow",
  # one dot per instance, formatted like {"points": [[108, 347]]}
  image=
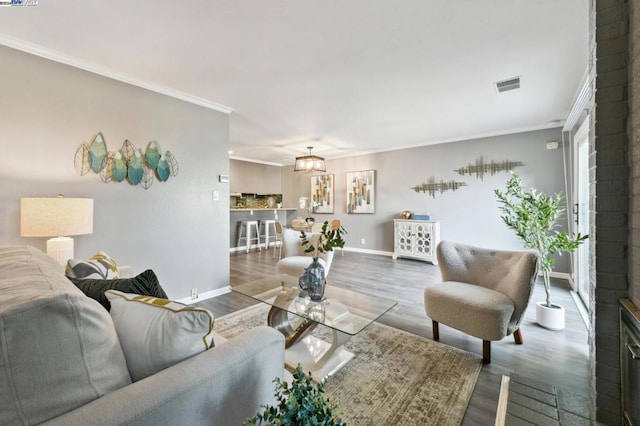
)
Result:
{"points": [[221, 386]]}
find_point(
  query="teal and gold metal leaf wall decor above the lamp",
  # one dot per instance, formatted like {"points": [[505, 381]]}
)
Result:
{"points": [[127, 163]]}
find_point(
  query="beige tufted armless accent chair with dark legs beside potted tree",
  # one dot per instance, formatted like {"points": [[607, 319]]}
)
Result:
{"points": [[484, 292]]}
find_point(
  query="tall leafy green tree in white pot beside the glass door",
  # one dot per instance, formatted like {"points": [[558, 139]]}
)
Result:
{"points": [[534, 217]]}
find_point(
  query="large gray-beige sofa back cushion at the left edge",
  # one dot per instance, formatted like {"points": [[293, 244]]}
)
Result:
{"points": [[58, 348]]}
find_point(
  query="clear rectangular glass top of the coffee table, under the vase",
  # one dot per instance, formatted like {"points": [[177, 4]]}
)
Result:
{"points": [[344, 310]]}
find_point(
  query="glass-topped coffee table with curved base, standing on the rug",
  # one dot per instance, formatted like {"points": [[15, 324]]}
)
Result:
{"points": [[345, 312]]}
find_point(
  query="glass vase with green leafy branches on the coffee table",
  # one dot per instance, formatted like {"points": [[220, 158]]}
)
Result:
{"points": [[329, 237]]}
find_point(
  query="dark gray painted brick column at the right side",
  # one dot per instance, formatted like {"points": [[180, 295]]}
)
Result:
{"points": [[610, 198]]}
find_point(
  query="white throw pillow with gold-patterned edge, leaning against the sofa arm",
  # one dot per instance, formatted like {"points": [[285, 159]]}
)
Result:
{"points": [[157, 333]]}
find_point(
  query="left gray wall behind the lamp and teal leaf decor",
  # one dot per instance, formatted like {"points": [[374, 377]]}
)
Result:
{"points": [[175, 228]]}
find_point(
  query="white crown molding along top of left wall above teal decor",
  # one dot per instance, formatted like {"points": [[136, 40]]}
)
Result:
{"points": [[56, 56]]}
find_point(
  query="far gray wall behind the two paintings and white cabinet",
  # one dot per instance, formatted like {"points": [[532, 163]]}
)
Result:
{"points": [[469, 214]]}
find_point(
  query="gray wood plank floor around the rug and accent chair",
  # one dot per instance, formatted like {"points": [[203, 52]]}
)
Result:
{"points": [[559, 358]]}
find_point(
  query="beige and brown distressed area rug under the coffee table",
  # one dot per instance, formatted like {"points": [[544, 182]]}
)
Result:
{"points": [[395, 378]]}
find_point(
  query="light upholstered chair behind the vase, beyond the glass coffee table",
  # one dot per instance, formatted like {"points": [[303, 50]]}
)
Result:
{"points": [[295, 260]]}
